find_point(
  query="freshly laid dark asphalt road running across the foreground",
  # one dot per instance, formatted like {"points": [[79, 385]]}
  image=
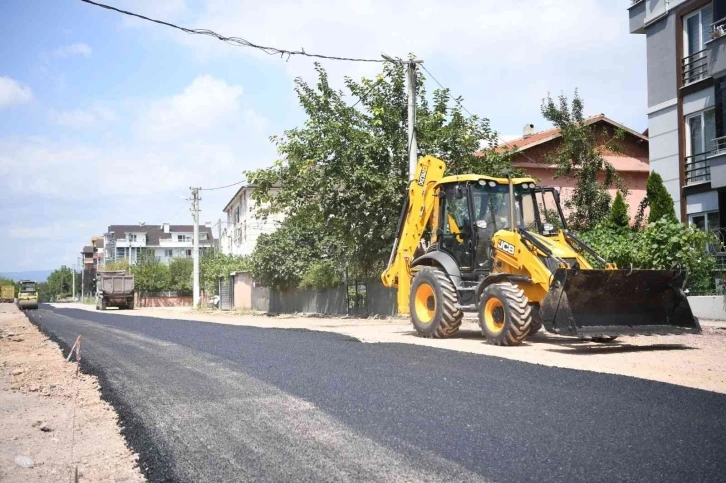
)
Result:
{"points": [[212, 402]]}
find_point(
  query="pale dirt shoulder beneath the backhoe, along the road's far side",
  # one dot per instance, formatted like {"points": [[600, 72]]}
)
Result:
{"points": [[697, 361]]}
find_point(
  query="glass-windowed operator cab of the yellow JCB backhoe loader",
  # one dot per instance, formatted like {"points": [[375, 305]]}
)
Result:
{"points": [[471, 212]]}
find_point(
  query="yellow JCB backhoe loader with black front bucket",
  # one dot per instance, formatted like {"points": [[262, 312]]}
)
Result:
{"points": [[501, 247]]}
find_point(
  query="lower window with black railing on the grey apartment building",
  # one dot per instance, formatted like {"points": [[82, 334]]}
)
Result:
{"points": [[701, 133]]}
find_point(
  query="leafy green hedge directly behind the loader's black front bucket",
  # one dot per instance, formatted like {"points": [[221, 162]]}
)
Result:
{"points": [[663, 245]]}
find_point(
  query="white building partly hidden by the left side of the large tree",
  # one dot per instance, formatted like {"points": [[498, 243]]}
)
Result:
{"points": [[243, 225]]}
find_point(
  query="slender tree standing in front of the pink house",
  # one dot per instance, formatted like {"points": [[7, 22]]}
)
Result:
{"points": [[581, 159]]}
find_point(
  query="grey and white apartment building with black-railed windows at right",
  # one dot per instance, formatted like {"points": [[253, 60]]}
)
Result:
{"points": [[686, 65]]}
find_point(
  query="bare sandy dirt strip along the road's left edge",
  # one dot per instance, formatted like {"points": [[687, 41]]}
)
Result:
{"points": [[39, 391]]}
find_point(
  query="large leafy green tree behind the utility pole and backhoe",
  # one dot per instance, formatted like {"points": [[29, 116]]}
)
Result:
{"points": [[345, 171]]}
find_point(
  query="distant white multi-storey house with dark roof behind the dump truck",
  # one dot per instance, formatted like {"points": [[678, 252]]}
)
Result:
{"points": [[167, 241]]}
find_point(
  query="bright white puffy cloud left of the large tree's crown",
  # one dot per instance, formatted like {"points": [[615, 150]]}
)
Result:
{"points": [[205, 104]]}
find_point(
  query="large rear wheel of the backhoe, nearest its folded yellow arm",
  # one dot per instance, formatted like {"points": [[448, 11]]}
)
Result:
{"points": [[432, 304]]}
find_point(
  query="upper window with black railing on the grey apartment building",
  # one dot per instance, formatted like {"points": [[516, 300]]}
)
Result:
{"points": [[696, 32]]}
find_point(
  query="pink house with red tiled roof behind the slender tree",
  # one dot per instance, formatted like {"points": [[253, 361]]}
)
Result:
{"points": [[632, 163]]}
